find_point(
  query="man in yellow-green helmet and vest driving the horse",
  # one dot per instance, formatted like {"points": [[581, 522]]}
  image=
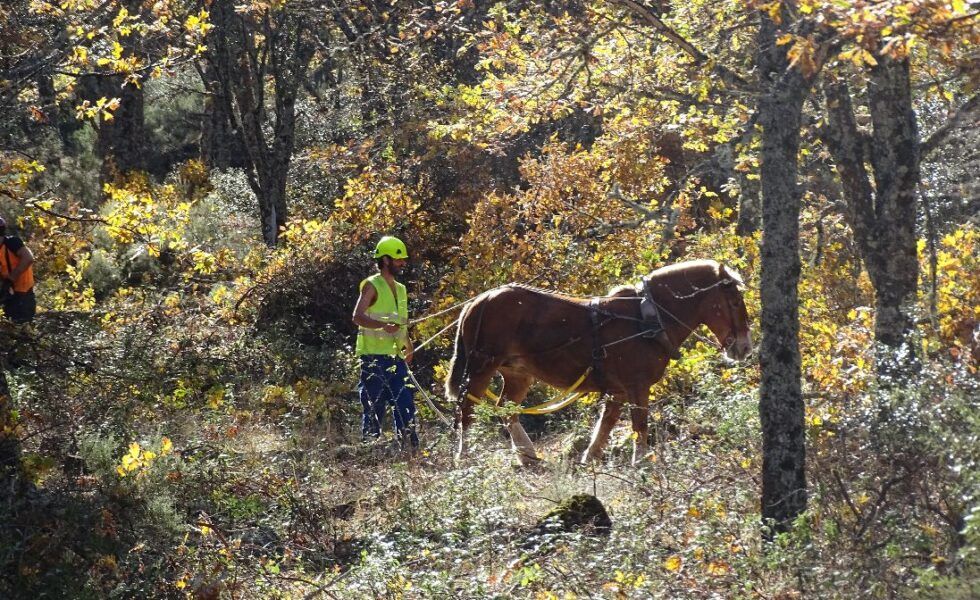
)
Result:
{"points": [[383, 346]]}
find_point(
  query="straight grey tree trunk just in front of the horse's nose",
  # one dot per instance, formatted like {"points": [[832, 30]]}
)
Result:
{"points": [[784, 493]]}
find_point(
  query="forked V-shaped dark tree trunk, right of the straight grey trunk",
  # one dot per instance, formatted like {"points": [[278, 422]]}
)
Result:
{"points": [[882, 216]]}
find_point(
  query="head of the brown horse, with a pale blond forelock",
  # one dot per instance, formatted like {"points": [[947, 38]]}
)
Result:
{"points": [[723, 311]]}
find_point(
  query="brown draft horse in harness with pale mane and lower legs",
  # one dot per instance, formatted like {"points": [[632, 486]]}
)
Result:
{"points": [[526, 334]]}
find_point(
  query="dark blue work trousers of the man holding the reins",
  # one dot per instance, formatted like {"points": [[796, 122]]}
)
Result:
{"points": [[385, 382]]}
